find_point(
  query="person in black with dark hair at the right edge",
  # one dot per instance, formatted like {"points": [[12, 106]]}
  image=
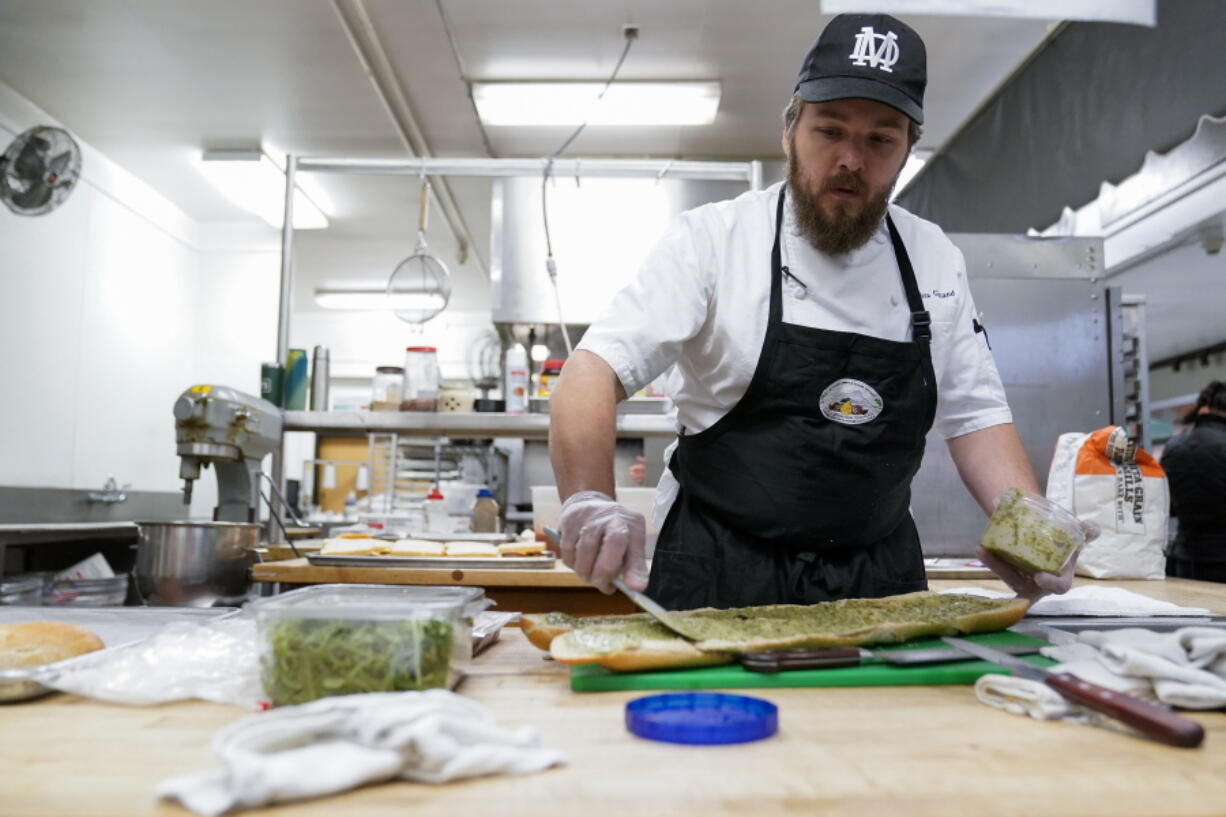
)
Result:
{"points": [[1196, 473]]}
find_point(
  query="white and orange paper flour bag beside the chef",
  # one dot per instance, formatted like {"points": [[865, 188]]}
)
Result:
{"points": [[1105, 479]]}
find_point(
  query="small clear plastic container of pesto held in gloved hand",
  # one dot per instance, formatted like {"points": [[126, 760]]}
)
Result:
{"points": [[1032, 533]]}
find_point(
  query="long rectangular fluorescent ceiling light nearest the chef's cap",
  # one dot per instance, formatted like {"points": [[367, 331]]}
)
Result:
{"points": [[573, 104]]}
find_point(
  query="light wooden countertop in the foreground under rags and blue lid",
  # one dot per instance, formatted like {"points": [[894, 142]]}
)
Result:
{"points": [[840, 751]]}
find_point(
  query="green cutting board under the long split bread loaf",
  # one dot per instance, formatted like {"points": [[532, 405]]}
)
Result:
{"points": [[590, 678]]}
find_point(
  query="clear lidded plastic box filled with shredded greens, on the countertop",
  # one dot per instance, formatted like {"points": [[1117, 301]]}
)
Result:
{"points": [[337, 640]]}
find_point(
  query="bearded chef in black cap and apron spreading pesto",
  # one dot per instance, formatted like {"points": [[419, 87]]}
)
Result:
{"points": [[816, 333]]}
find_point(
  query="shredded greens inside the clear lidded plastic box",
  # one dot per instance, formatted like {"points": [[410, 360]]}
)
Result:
{"points": [[313, 658]]}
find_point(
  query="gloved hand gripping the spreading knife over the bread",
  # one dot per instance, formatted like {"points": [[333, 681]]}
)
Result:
{"points": [[603, 539]]}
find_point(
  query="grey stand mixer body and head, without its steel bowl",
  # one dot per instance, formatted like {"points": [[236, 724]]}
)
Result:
{"points": [[234, 432]]}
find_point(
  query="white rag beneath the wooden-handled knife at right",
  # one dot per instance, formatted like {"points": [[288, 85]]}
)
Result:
{"points": [[1185, 669]]}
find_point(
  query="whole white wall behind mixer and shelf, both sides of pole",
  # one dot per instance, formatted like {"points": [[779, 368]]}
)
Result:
{"points": [[115, 304]]}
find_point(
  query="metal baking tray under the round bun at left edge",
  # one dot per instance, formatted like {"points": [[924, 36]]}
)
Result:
{"points": [[117, 627]]}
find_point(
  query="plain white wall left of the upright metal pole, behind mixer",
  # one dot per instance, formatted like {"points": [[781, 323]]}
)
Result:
{"points": [[110, 309]]}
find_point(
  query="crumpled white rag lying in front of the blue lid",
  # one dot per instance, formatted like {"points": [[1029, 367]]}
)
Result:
{"points": [[338, 744]]}
